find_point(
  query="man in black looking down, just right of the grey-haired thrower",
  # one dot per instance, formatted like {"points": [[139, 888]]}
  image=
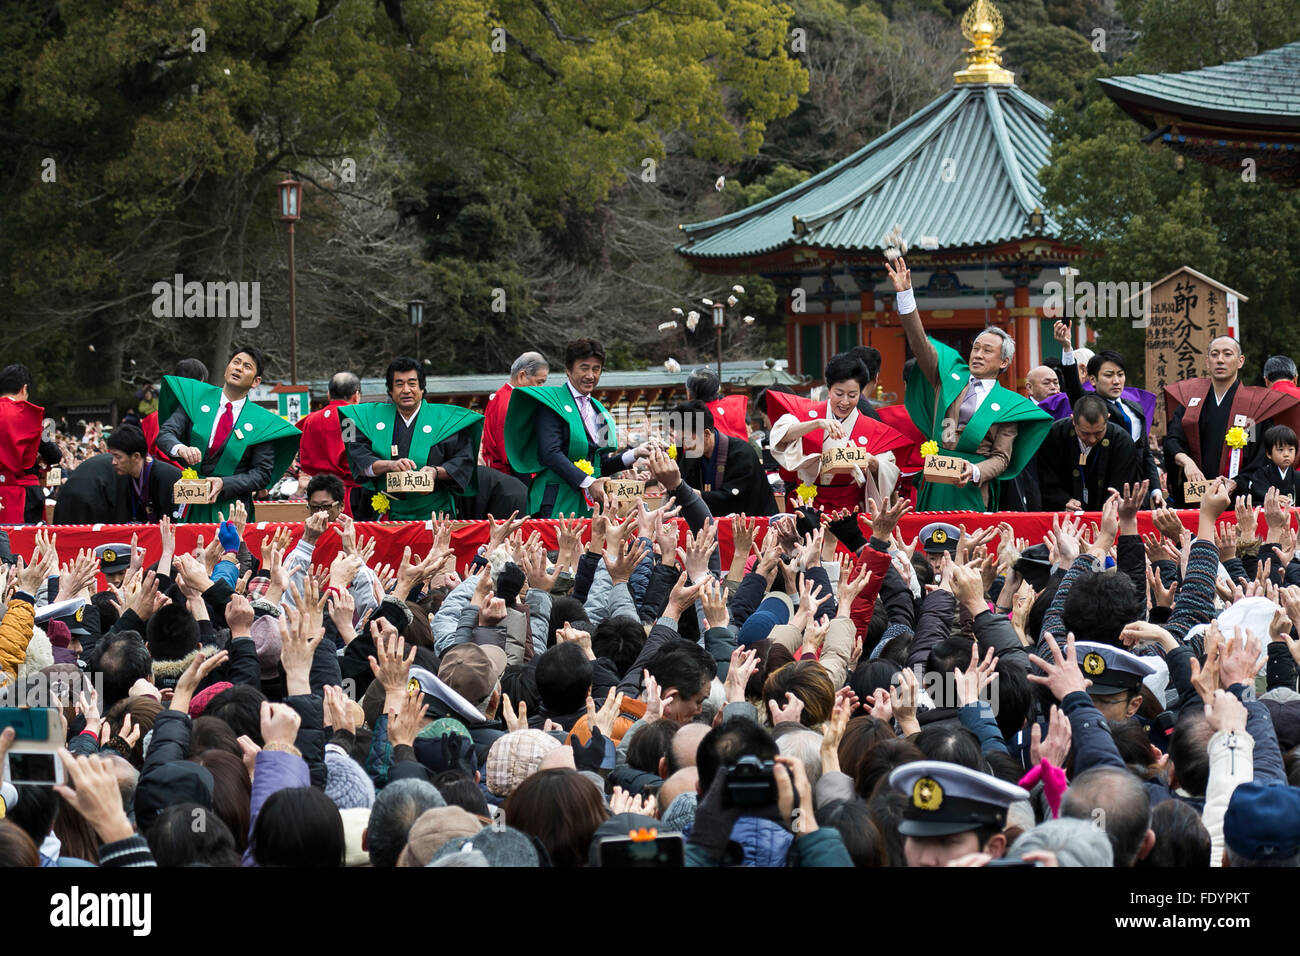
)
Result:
{"points": [[1084, 457]]}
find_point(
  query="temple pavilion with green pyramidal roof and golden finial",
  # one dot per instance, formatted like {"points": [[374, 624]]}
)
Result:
{"points": [[960, 178]]}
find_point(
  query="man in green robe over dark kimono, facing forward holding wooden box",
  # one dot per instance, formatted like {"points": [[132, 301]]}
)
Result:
{"points": [[409, 434]]}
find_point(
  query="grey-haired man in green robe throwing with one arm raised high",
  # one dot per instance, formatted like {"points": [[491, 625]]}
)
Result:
{"points": [[964, 409]]}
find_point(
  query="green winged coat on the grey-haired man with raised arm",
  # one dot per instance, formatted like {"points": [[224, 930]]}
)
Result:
{"points": [[1002, 406]]}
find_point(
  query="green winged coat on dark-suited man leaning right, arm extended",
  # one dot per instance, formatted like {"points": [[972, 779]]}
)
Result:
{"points": [[525, 456]]}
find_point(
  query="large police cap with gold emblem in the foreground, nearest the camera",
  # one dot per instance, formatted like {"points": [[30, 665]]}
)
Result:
{"points": [[950, 799]]}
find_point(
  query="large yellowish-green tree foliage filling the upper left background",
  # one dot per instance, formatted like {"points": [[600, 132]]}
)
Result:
{"points": [[170, 123]]}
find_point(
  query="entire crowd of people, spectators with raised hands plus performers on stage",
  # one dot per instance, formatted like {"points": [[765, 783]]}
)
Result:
{"points": [[820, 693]]}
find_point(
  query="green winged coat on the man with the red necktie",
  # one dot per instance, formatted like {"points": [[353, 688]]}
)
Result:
{"points": [[202, 404]]}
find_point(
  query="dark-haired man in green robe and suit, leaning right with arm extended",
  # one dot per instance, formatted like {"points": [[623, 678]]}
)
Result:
{"points": [[566, 439]]}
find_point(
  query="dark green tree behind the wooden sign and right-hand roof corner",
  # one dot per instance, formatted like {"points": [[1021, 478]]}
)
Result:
{"points": [[1138, 218]]}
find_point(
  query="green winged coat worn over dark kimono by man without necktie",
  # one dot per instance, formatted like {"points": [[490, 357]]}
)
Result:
{"points": [[434, 425]]}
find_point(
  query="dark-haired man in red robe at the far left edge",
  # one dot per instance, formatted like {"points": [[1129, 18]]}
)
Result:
{"points": [[21, 445]]}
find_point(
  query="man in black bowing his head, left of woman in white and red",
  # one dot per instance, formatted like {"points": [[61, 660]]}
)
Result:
{"points": [[725, 470]]}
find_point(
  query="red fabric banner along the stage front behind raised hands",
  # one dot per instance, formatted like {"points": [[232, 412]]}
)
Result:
{"points": [[395, 537]]}
